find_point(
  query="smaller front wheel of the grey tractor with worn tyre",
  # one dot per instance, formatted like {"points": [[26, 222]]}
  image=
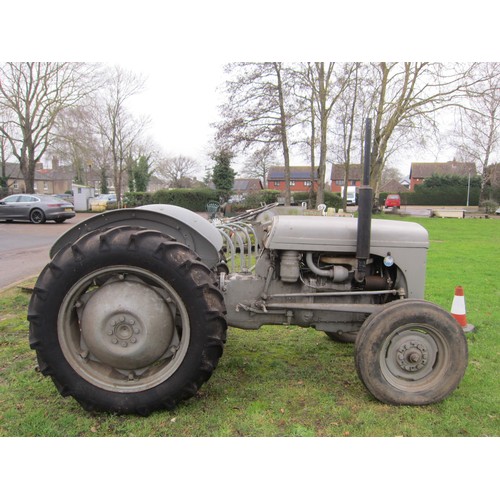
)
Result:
{"points": [[411, 352]]}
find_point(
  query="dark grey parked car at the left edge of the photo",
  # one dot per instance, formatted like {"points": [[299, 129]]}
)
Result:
{"points": [[36, 208]]}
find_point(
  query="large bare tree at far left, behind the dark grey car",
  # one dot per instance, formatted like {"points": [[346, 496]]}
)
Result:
{"points": [[36, 93]]}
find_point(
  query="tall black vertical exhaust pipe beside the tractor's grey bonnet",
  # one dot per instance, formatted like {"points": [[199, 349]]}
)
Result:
{"points": [[365, 203]]}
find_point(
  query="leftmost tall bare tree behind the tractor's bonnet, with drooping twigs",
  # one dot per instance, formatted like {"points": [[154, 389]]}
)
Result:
{"points": [[258, 110]]}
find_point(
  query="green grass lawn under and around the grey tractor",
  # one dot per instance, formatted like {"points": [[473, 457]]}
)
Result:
{"points": [[289, 381]]}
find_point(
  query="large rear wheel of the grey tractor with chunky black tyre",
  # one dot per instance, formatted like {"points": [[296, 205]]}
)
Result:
{"points": [[128, 321]]}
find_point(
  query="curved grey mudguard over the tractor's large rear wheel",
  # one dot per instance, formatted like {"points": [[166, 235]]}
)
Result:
{"points": [[179, 223]]}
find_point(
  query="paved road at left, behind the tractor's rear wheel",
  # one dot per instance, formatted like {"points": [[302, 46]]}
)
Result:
{"points": [[24, 248]]}
